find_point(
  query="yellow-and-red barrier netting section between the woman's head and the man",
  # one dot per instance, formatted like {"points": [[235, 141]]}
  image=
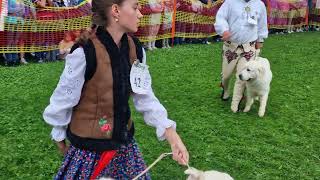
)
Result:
{"points": [[192, 19]]}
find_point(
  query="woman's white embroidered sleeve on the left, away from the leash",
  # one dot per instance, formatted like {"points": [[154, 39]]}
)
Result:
{"points": [[66, 95]]}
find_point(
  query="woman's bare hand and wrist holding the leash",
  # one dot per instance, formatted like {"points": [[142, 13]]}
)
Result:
{"points": [[179, 150]]}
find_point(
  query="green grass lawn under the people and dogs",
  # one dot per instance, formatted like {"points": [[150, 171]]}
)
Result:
{"points": [[282, 145]]}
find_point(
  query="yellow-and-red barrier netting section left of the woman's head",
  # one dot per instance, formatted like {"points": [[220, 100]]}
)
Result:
{"points": [[41, 29]]}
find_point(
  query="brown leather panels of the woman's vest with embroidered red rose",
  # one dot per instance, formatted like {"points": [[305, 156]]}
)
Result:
{"points": [[93, 117]]}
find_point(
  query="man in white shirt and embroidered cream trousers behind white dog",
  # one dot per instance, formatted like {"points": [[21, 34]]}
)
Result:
{"points": [[243, 27]]}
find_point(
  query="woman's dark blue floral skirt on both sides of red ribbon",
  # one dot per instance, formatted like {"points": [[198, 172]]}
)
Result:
{"points": [[80, 164]]}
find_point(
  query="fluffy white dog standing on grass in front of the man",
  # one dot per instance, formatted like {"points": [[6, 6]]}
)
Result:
{"points": [[258, 76]]}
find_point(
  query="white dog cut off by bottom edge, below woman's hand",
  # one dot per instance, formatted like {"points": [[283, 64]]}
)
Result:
{"points": [[195, 174]]}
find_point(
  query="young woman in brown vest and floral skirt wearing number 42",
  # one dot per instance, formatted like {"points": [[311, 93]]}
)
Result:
{"points": [[90, 105]]}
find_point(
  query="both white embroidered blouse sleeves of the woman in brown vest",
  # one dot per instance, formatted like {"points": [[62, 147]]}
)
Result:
{"points": [[67, 95]]}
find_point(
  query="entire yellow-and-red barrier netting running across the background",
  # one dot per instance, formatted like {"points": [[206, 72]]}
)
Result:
{"points": [[42, 29]]}
